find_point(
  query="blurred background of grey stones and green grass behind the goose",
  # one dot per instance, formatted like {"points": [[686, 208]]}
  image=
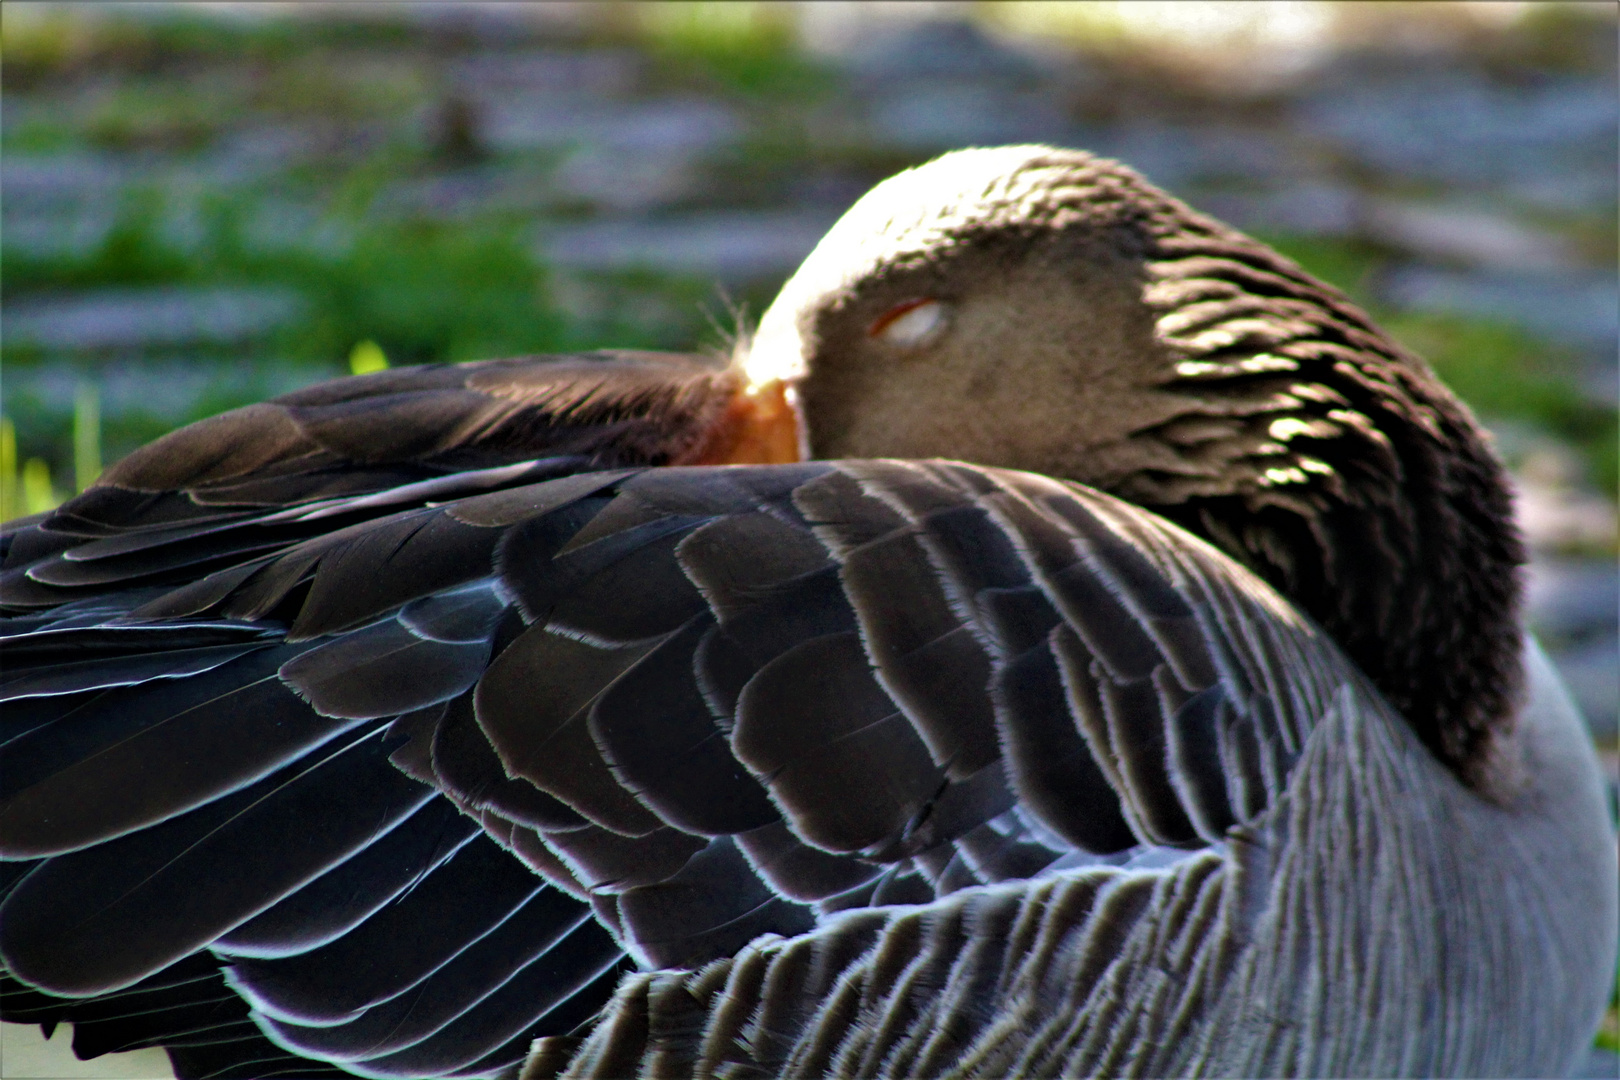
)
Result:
{"points": [[205, 205]]}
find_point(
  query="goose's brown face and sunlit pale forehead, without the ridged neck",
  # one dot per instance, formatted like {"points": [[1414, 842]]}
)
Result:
{"points": [[1007, 281]]}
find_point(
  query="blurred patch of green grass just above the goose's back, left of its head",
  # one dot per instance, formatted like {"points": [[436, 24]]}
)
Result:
{"points": [[424, 291]]}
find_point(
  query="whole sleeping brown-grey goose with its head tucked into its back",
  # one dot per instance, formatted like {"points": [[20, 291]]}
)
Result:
{"points": [[1067, 640]]}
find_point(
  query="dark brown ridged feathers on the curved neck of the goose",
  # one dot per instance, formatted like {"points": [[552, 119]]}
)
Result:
{"points": [[1336, 466]]}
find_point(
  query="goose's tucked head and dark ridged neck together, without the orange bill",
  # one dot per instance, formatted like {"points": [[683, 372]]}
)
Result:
{"points": [[1047, 310]]}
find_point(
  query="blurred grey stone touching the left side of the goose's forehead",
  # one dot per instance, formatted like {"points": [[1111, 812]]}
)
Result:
{"points": [[735, 247]]}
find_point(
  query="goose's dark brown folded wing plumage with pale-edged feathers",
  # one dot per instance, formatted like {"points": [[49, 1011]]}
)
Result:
{"points": [[670, 712]]}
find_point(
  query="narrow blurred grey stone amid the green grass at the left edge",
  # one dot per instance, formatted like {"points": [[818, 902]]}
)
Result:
{"points": [[134, 318]]}
